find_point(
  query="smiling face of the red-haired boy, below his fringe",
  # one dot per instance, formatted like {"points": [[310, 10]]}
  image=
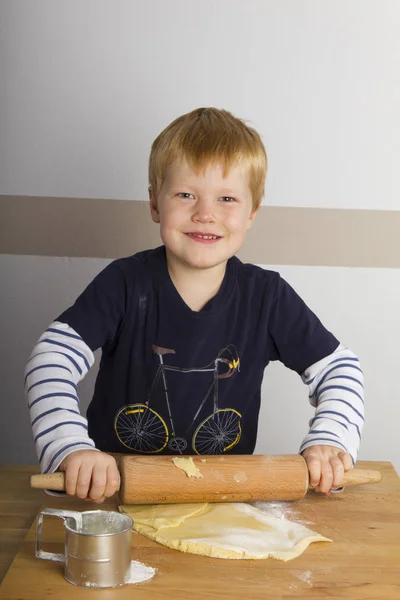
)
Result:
{"points": [[203, 218]]}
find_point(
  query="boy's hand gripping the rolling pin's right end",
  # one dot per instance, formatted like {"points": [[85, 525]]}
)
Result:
{"points": [[326, 467]]}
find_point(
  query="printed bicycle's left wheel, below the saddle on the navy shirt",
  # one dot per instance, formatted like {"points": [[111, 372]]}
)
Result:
{"points": [[140, 428]]}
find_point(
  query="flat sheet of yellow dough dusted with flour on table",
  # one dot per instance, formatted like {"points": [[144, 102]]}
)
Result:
{"points": [[225, 530]]}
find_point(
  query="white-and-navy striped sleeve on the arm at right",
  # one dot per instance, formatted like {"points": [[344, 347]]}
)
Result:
{"points": [[336, 390]]}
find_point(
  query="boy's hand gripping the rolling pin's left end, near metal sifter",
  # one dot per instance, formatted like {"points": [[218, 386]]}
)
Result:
{"points": [[90, 475]]}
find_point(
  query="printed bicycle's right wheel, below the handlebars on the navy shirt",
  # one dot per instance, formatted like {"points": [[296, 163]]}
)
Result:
{"points": [[218, 433]]}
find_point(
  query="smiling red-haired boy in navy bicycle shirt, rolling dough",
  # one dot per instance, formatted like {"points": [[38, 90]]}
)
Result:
{"points": [[186, 331]]}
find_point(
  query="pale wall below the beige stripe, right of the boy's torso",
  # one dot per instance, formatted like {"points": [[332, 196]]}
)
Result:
{"points": [[360, 306]]}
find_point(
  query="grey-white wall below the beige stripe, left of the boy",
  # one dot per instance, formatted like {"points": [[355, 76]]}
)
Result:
{"points": [[35, 290]]}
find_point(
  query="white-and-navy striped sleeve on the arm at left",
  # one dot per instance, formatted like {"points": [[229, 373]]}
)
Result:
{"points": [[59, 360]]}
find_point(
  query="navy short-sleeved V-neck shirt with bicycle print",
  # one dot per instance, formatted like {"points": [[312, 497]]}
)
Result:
{"points": [[172, 380]]}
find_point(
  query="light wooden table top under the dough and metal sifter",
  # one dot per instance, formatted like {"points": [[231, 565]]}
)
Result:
{"points": [[363, 561]]}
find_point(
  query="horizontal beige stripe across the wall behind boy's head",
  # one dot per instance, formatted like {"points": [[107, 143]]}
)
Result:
{"points": [[88, 227]]}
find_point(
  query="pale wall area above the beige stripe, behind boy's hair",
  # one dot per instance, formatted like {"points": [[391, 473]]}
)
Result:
{"points": [[86, 87]]}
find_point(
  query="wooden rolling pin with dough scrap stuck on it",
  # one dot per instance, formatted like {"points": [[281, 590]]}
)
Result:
{"points": [[232, 478]]}
